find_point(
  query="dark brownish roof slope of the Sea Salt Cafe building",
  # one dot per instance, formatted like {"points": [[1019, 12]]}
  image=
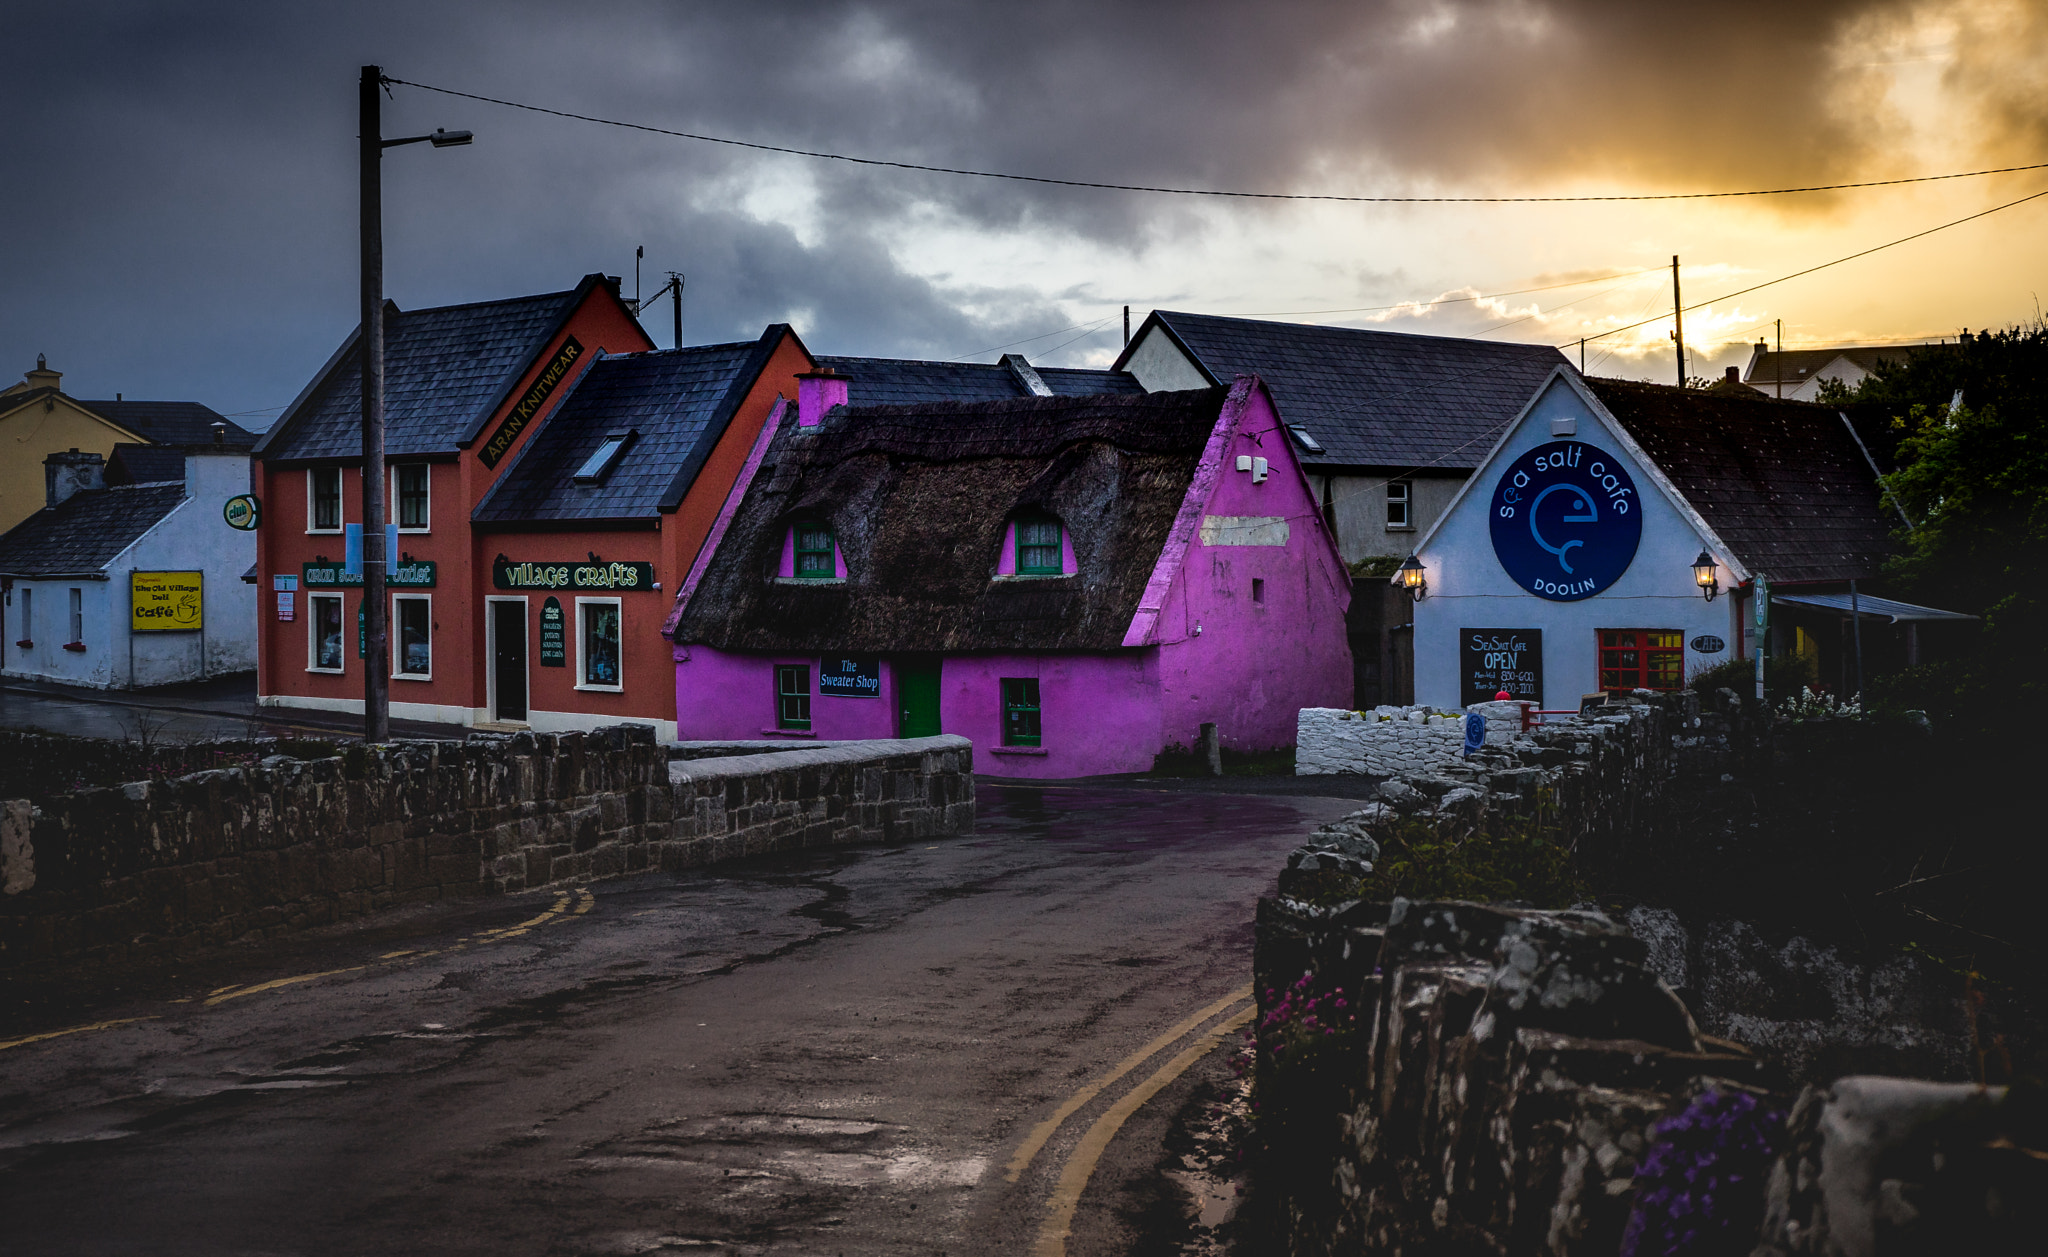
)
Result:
{"points": [[1781, 482]]}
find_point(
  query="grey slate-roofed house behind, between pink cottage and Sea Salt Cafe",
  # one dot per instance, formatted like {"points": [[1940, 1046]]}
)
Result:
{"points": [[1385, 425]]}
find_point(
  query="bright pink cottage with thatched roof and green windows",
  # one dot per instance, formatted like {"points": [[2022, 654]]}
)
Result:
{"points": [[1072, 582]]}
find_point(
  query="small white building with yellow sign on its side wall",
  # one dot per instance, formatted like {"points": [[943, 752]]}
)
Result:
{"points": [[132, 584]]}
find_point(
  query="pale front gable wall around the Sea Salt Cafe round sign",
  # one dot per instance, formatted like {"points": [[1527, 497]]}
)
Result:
{"points": [[1471, 591]]}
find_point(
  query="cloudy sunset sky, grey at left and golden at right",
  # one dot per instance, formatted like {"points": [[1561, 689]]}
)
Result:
{"points": [[181, 214]]}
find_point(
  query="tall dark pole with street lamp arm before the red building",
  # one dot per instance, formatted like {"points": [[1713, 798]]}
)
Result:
{"points": [[376, 627]]}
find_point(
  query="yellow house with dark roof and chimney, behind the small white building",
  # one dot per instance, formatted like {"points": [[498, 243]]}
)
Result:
{"points": [[38, 421]]}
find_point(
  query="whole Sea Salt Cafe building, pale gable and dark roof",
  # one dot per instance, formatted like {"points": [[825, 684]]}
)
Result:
{"points": [[1566, 566]]}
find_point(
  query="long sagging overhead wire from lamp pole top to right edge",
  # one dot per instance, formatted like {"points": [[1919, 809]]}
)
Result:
{"points": [[1082, 183]]}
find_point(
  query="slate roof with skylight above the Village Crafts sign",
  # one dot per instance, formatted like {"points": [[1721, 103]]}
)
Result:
{"points": [[681, 404]]}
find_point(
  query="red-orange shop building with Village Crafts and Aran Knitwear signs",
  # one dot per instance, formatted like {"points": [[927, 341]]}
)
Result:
{"points": [[552, 480]]}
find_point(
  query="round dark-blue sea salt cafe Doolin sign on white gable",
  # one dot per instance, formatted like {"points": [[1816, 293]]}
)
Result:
{"points": [[1566, 521]]}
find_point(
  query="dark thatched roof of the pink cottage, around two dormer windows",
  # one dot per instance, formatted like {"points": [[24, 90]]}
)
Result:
{"points": [[919, 499]]}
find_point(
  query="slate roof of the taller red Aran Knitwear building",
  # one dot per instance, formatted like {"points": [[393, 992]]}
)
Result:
{"points": [[445, 372]]}
